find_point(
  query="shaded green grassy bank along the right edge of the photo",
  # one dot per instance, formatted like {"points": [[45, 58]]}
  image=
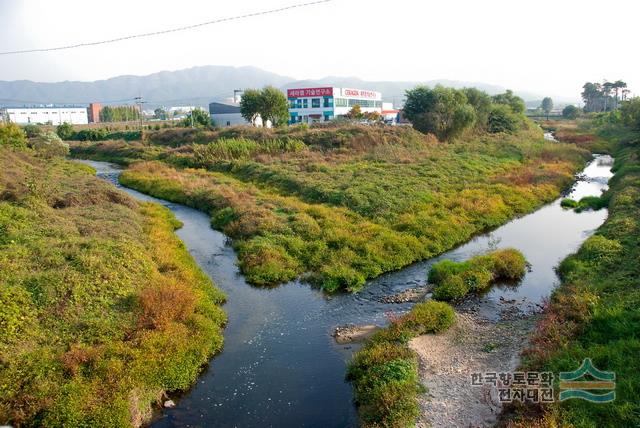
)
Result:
{"points": [[595, 312]]}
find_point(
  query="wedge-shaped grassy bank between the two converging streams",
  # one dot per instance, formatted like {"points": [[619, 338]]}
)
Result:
{"points": [[340, 205]]}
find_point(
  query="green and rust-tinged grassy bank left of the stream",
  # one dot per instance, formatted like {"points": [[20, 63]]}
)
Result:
{"points": [[102, 309]]}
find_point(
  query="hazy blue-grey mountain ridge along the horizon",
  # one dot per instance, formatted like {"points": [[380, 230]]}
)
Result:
{"points": [[197, 86]]}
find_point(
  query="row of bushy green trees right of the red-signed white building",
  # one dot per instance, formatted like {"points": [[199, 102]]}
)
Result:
{"points": [[448, 112]]}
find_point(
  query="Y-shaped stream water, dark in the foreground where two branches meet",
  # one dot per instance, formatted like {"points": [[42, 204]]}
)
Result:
{"points": [[280, 366]]}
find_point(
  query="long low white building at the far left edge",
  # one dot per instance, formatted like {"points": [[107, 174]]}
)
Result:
{"points": [[52, 115]]}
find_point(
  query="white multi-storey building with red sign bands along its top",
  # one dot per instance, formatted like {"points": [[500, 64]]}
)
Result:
{"points": [[312, 105]]}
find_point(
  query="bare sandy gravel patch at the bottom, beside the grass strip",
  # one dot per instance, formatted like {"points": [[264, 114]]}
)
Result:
{"points": [[448, 360]]}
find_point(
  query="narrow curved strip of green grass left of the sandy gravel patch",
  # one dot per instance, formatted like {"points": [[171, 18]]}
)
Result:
{"points": [[384, 372]]}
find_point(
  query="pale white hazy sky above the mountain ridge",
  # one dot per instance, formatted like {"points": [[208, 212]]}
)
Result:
{"points": [[546, 46]]}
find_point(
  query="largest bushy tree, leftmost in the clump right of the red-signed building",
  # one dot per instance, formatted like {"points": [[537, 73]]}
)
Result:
{"points": [[441, 111]]}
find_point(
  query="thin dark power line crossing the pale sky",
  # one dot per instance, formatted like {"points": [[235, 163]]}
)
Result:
{"points": [[171, 30]]}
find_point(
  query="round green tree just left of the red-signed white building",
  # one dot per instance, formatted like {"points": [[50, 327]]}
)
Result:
{"points": [[269, 103]]}
